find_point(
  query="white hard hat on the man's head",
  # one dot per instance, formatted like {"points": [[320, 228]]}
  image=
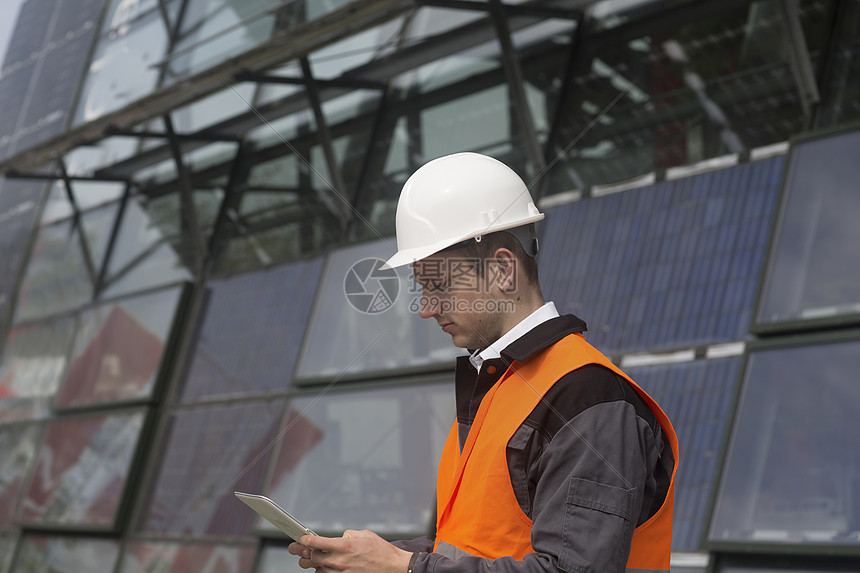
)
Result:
{"points": [[455, 198]]}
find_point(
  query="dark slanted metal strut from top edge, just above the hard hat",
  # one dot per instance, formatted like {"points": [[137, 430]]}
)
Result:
{"points": [[516, 85]]}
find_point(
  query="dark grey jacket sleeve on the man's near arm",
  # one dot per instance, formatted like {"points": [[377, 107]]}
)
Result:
{"points": [[581, 474]]}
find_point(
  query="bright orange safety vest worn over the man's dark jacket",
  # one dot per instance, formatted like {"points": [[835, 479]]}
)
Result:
{"points": [[477, 510]]}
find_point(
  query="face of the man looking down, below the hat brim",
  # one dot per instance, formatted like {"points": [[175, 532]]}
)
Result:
{"points": [[464, 305]]}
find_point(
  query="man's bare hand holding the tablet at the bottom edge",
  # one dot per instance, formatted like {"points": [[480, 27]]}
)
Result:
{"points": [[355, 552]]}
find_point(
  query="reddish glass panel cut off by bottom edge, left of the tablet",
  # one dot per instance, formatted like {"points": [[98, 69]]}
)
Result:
{"points": [[150, 557]]}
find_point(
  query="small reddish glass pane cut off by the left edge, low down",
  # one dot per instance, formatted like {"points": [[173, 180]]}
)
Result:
{"points": [[18, 443]]}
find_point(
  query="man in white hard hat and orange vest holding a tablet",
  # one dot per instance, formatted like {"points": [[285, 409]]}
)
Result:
{"points": [[557, 460]]}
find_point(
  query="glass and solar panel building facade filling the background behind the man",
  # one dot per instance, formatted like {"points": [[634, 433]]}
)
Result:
{"points": [[195, 196]]}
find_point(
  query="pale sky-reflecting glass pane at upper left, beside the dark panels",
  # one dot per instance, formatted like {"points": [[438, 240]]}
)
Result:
{"points": [[124, 66]]}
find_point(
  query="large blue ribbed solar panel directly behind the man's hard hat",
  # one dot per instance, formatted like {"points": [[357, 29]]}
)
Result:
{"points": [[669, 265]]}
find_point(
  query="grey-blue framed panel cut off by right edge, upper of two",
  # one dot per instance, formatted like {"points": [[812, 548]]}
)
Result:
{"points": [[813, 266]]}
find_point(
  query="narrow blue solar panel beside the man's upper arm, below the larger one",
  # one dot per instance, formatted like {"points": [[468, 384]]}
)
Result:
{"points": [[696, 396]]}
